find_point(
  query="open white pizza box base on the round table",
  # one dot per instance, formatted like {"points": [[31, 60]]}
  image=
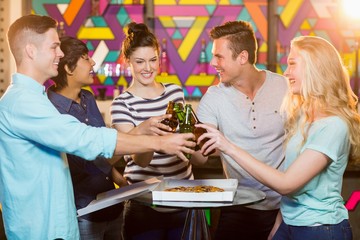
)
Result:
{"points": [[229, 186]]}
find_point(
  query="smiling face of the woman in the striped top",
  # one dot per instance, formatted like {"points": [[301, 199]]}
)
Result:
{"points": [[144, 64]]}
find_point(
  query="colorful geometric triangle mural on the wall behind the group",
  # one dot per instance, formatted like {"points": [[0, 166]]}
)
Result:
{"points": [[184, 24]]}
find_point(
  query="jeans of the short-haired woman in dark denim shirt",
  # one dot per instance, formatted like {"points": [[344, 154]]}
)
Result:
{"points": [[109, 230]]}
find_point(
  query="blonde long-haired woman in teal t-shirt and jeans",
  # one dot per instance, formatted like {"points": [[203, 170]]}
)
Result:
{"points": [[322, 133]]}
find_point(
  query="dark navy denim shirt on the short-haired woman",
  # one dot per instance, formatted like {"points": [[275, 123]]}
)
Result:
{"points": [[89, 177]]}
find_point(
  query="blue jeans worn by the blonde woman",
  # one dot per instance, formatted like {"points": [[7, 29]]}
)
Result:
{"points": [[340, 231]]}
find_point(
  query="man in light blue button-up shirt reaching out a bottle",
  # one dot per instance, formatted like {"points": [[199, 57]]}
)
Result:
{"points": [[35, 185]]}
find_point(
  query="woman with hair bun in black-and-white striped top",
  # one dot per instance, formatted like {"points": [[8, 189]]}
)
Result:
{"points": [[139, 110]]}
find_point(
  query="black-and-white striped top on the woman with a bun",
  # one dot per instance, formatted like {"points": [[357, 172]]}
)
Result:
{"points": [[130, 109]]}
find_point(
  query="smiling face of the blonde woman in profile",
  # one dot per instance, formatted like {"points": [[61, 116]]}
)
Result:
{"points": [[294, 71]]}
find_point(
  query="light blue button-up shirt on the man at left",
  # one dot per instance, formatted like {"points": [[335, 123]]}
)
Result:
{"points": [[35, 184]]}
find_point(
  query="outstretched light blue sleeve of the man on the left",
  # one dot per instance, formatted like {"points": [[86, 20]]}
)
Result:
{"points": [[44, 125]]}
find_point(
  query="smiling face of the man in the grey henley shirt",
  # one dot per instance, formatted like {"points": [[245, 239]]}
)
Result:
{"points": [[227, 67]]}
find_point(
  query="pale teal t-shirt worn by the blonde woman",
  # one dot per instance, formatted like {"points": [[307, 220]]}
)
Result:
{"points": [[319, 201]]}
